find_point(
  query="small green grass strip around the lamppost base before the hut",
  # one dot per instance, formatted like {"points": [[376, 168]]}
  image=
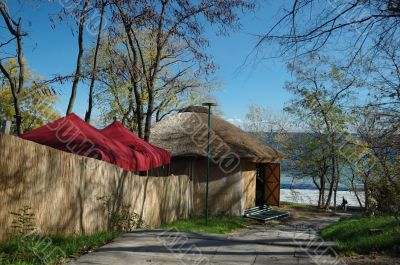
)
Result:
{"points": [[216, 225]]}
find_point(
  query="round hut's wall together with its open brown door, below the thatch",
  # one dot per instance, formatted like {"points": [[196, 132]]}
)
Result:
{"points": [[229, 193]]}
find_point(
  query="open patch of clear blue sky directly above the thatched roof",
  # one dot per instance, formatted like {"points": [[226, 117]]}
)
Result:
{"points": [[254, 81]]}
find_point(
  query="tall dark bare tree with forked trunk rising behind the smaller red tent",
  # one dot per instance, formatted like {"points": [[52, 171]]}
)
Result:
{"points": [[169, 21]]}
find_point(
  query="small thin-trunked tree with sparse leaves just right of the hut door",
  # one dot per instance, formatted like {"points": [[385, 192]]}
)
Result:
{"points": [[319, 91]]}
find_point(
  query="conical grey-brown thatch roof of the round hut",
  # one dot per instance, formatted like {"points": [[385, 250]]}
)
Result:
{"points": [[185, 134]]}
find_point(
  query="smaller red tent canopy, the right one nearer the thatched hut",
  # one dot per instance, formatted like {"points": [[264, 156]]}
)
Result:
{"points": [[157, 156]]}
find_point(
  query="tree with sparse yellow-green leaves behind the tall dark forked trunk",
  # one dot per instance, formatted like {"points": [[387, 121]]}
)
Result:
{"points": [[178, 85]]}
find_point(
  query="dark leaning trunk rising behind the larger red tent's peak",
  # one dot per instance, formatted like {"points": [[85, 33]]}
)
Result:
{"points": [[79, 58]]}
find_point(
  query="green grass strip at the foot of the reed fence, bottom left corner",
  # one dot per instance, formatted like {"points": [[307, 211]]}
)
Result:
{"points": [[52, 249]]}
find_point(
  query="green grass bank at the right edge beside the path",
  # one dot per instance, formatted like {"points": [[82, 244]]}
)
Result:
{"points": [[352, 234]]}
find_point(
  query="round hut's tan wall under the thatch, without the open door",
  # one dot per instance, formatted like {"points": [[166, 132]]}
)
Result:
{"points": [[229, 193]]}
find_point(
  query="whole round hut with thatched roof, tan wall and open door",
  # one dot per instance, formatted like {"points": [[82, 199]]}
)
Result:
{"points": [[244, 171]]}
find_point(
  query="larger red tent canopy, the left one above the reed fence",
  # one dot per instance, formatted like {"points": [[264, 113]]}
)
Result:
{"points": [[73, 135]]}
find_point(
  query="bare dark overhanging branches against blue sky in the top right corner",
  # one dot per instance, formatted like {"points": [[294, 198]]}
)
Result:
{"points": [[306, 26]]}
